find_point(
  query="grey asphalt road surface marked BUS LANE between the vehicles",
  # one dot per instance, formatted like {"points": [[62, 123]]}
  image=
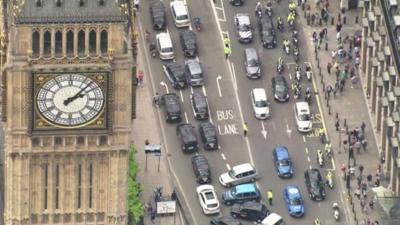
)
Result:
{"points": [[228, 92]]}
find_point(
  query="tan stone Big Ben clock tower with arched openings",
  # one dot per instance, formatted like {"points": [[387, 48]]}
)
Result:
{"points": [[67, 112]]}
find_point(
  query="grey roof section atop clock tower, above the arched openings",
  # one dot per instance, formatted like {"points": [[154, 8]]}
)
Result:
{"points": [[70, 11]]}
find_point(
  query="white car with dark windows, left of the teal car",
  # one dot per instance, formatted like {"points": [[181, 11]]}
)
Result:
{"points": [[208, 199]]}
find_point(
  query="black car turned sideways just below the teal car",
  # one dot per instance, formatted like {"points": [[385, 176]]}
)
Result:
{"points": [[253, 211]]}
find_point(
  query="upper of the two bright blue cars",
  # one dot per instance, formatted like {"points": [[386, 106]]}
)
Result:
{"points": [[282, 162]]}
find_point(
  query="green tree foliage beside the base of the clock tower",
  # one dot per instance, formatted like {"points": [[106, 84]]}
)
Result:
{"points": [[135, 207]]}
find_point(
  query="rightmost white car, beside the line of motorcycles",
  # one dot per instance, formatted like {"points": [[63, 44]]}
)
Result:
{"points": [[302, 116]]}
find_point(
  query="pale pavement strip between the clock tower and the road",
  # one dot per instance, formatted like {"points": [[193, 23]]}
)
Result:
{"points": [[146, 127]]}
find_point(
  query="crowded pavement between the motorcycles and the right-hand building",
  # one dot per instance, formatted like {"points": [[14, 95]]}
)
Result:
{"points": [[350, 106]]}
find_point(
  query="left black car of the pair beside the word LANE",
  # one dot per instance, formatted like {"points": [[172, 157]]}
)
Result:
{"points": [[186, 134]]}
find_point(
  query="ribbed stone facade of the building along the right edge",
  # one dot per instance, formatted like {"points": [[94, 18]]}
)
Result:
{"points": [[381, 76]]}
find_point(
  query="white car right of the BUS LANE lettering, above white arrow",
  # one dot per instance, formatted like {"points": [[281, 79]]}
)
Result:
{"points": [[260, 103]]}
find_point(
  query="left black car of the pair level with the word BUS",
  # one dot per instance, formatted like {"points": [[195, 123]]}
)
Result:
{"points": [[173, 112]]}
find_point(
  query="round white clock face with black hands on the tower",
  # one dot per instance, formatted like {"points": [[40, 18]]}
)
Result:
{"points": [[70, 100]]}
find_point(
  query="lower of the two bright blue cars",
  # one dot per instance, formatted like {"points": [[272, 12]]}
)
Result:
{"points": [[293, 201]]}
